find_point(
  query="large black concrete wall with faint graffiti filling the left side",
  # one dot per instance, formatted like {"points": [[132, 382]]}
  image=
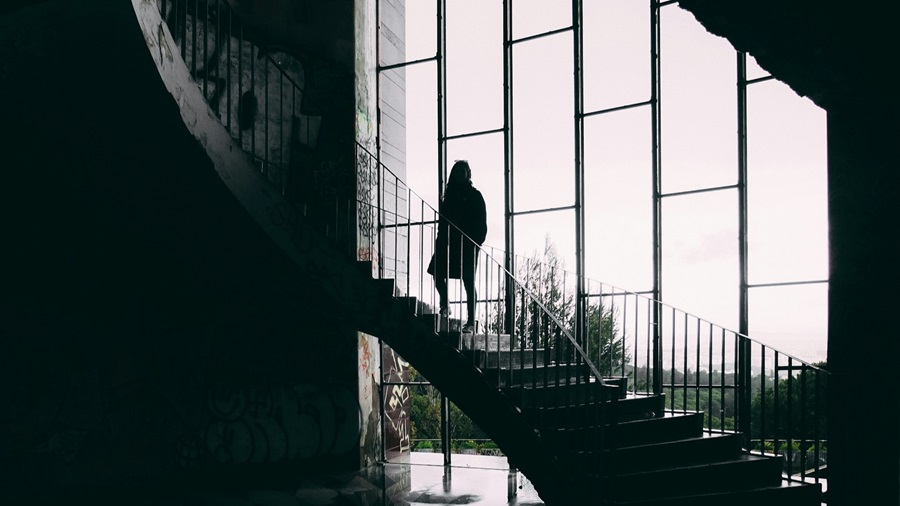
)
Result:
{"points": [[154, 332]]}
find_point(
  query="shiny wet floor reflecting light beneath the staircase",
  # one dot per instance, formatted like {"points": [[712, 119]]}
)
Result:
{"points": [[421, 480]]}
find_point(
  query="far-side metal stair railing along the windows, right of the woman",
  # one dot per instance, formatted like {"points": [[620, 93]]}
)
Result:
{"points": [[775, 400]]}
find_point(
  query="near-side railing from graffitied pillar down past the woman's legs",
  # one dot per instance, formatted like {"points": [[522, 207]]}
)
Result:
{"points": [[519, 343]]}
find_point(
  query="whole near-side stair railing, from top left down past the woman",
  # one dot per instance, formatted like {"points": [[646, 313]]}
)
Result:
{"points": [[259, 99]]}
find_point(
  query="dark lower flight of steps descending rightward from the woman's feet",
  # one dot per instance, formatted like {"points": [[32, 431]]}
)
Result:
{"points": [[626, 445]]}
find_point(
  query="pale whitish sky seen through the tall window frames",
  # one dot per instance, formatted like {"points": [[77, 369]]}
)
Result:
{"points": [[786, 156]]}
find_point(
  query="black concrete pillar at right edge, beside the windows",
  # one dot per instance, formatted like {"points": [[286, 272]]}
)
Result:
{"points": [[864, 196]]}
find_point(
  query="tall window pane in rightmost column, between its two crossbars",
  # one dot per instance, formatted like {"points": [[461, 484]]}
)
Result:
{"points": [[787, 186]]}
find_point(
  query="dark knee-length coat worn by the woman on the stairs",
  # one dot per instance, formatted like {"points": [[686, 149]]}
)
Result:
{"points": [[462, 210]]}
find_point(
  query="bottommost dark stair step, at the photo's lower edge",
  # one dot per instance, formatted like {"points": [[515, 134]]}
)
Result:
{"points": [[784, 494]]}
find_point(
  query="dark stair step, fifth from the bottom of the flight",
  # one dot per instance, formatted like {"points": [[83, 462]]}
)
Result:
{"points": [[632, 407]]}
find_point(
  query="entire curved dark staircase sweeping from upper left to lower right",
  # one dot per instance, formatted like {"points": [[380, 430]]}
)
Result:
{"points": [[580, 438]]}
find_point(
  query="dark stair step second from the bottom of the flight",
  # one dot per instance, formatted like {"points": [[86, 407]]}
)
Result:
{"points": [[743, 472]]}
